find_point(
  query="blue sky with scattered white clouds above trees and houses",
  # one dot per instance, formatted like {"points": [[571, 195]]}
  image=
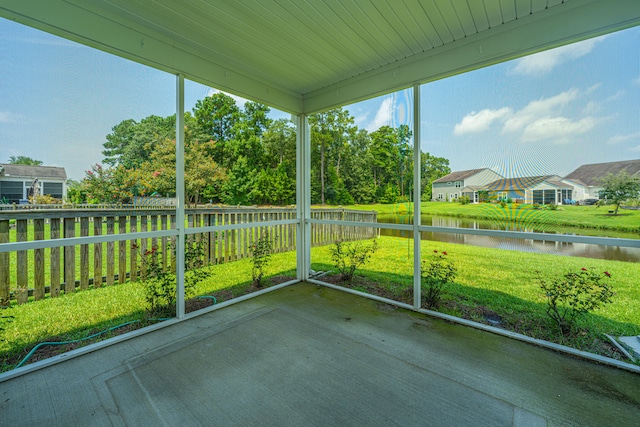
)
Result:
{"points": [[544, 114]]}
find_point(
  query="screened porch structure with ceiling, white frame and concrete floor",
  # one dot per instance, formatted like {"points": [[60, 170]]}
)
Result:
{"points": [[307, 354]]}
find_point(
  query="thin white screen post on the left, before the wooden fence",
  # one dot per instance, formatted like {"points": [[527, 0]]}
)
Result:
{"points": [[180, 238]]}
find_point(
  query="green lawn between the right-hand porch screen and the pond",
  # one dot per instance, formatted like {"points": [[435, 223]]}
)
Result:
{"points": [[502, 283]]}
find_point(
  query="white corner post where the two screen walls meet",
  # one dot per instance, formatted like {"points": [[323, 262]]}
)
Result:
{"points": [[303, 197]]}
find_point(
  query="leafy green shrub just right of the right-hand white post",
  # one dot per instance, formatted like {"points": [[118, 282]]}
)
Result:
{"points": [[434, 276]]}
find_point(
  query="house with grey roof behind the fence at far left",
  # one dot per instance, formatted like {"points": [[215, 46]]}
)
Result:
{"points": [[18, 182]]}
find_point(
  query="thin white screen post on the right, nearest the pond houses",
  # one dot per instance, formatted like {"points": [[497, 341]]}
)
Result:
{"points": [[417, 198]]}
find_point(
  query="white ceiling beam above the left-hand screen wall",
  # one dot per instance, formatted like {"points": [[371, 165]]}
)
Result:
{"points": [[117, 36]]}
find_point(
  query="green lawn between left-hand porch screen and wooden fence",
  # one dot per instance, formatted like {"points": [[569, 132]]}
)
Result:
{"points": [[83, 313]]}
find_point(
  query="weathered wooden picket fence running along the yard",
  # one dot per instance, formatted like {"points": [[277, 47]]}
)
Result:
{"points": [[47, 271]]}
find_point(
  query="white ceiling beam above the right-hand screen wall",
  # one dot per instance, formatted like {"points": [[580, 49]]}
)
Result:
{"points": [[566, 23]]}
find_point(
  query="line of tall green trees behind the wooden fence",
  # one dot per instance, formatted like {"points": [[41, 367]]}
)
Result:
{"points": [[240, 156]]}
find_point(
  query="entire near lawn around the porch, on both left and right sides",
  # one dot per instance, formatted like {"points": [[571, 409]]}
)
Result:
{"points": [[495, 282]]}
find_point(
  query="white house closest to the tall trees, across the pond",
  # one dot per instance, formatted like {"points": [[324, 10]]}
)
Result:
{"points": [[452, 186]]}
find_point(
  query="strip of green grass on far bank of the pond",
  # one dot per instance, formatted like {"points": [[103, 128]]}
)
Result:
{"points": [[523, 215]]}
